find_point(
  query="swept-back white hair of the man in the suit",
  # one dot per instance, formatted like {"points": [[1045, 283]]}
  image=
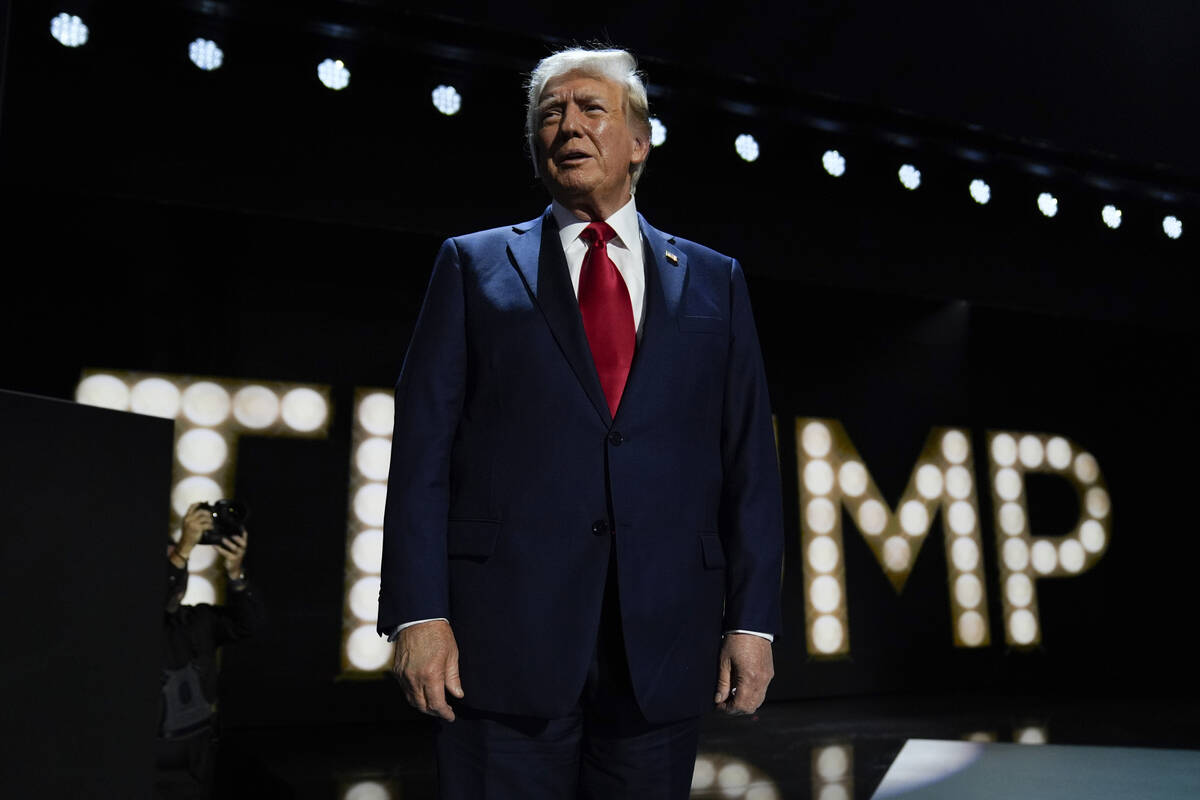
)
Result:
{"points": [[619, 67]]}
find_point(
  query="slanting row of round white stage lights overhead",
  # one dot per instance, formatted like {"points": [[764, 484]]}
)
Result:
{"points": [[71, 32]]}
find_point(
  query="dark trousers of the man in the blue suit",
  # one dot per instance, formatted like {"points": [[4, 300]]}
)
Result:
{"points": [[604, 750]]}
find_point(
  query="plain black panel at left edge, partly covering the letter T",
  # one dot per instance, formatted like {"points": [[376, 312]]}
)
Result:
{"points": [[82, 581]]}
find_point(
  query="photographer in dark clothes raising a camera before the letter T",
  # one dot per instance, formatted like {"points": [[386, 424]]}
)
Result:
{"points": [[193, 636]]}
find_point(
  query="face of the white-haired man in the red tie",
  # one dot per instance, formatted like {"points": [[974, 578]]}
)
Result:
{"points": [[586, 145]]}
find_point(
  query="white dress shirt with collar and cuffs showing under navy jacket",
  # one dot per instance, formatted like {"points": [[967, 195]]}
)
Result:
{"points": [[628, 254]]}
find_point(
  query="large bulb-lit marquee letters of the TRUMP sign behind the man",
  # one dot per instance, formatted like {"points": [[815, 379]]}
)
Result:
{"points": [[212, 414]]}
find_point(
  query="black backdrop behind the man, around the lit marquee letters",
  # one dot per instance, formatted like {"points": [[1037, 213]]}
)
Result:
{"points": [[251, 224]]}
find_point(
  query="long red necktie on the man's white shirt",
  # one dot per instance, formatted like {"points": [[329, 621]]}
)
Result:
{"points": [[608, 314]]}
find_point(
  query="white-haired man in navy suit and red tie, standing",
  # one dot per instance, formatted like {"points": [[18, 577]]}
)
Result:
{"points": [[584, 534]]}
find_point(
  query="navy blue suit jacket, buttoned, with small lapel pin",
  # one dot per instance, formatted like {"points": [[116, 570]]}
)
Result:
{"points": [[508, 471]]}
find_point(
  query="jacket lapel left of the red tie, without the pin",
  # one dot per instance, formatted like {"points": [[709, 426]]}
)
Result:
{"points": [[537, 252]]}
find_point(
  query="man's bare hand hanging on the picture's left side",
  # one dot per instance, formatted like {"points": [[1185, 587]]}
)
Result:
{"points": [[427, 665]]}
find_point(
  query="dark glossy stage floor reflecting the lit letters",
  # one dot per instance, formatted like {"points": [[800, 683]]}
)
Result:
{"points": [[827, 750]]}
